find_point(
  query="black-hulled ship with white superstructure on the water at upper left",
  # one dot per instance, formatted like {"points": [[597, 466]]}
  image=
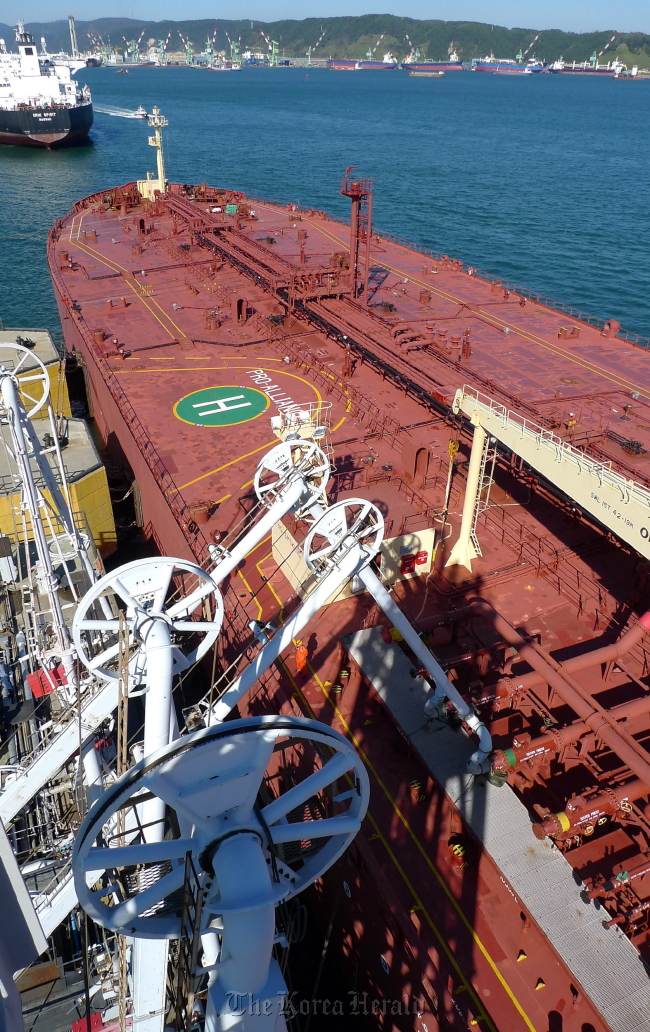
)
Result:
{"points": [[41, 104]]}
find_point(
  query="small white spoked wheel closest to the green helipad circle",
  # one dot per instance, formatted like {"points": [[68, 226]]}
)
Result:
{"points": [[284, 464]]}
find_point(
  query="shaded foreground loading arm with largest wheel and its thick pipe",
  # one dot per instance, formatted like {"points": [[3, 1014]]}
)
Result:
{"points": [[244, 847]]}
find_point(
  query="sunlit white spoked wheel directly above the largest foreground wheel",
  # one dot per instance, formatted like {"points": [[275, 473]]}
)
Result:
{"points": [[142, 589]]}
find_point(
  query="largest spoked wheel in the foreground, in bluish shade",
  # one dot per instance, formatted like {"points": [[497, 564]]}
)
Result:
{"points": [[296, 787]]}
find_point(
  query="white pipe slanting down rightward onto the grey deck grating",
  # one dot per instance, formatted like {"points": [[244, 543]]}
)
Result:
{"points": [[444, 688]]}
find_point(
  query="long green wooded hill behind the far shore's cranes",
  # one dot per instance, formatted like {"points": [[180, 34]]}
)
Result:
{"points": [[352, 38]]}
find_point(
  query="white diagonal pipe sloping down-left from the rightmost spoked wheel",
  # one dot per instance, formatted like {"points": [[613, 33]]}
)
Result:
{"points": [[347, 568]]}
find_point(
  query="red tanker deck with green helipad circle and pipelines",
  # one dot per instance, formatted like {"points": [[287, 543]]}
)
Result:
{"points": [[203, 320]]}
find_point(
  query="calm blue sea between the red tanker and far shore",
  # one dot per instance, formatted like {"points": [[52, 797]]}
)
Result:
{"points": [[543, 180]]}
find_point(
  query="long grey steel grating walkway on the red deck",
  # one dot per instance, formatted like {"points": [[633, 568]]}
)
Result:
{"points": [[603, 961]]}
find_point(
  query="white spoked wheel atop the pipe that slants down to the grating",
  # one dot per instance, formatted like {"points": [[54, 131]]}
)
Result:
{"points": [[353, 522]]}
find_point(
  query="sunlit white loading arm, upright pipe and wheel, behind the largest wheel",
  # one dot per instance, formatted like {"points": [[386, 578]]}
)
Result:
{"points": [[162, 639]]}
